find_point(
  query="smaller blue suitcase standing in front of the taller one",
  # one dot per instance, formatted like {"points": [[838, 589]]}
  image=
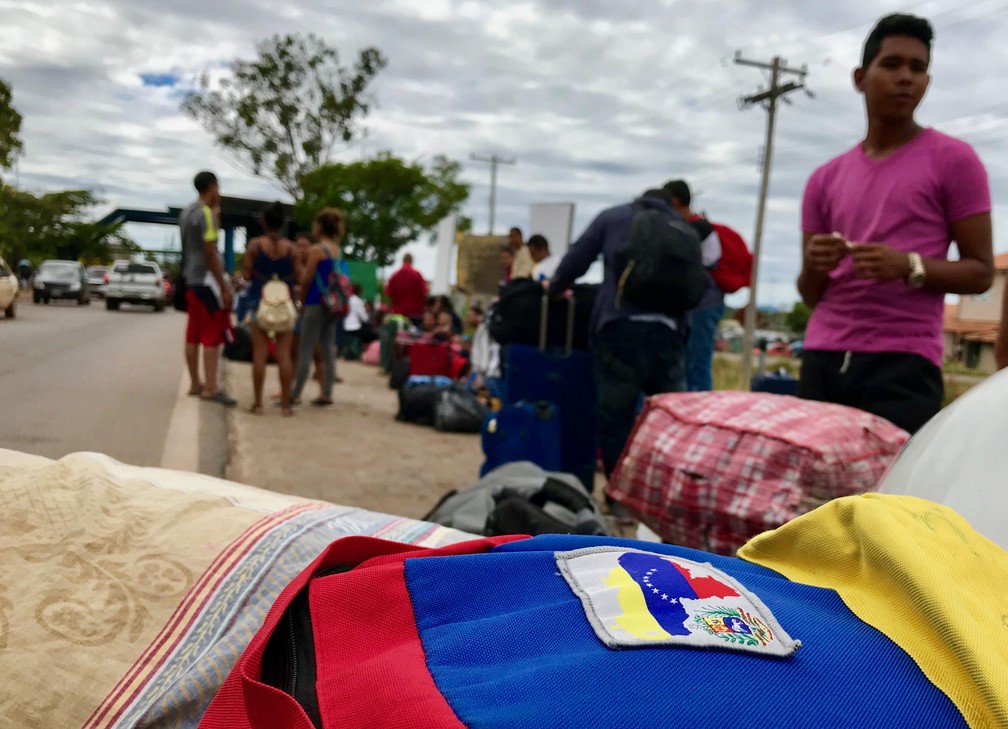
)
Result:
{"points": [[523, 432]]}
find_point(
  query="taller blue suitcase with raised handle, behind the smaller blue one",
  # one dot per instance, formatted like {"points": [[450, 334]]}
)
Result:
{"points": [[564, 377]]}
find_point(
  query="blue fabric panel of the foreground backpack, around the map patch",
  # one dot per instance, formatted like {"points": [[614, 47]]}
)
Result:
{"points": [[510, 646]]}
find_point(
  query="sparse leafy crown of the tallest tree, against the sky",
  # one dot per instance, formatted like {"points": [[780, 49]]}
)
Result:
{"points": [[283, 114]]}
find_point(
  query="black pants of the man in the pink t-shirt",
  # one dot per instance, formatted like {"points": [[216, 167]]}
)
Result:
{"points": [[907, 390]]}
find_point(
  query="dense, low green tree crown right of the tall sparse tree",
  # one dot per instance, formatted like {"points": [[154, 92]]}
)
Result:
{"points": [[388, 202]]}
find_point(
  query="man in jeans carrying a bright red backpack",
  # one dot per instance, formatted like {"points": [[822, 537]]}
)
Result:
{"points": [[730, 272]]}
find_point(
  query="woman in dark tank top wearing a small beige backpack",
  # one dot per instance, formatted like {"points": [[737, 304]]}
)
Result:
{"points": [[266, 258]]}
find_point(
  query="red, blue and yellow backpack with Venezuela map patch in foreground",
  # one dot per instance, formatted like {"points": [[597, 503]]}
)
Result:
{"points": [[813, 626]]}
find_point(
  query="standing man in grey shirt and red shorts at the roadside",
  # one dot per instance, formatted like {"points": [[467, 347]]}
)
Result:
{"points": [[208, 296]]}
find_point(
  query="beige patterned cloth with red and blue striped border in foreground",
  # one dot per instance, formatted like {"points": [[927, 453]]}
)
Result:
{"points": [[127, 594]]}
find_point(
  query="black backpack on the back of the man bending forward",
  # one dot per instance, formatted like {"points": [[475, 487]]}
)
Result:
{"points": [[661, 267]]}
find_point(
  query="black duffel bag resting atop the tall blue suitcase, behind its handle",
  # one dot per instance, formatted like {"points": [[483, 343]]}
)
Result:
{"points": [[516, 318]]}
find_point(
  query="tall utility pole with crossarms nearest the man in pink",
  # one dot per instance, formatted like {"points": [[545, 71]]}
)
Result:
{"points": [[770, 99]]}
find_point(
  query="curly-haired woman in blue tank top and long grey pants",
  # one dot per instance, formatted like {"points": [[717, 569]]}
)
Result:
{"points": [[319, 326]]}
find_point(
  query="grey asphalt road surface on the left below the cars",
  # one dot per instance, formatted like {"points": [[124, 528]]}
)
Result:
{"points": [[82, 379]]}
